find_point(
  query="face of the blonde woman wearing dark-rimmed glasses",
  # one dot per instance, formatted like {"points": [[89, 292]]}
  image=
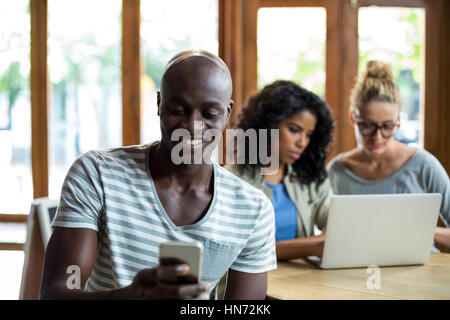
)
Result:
{"points": [[375, 125]]}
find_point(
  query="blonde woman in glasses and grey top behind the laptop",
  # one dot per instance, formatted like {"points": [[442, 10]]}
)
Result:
{"points": [[381, 164]]}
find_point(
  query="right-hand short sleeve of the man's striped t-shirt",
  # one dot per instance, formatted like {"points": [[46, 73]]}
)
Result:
{"points": [[259, 254]]}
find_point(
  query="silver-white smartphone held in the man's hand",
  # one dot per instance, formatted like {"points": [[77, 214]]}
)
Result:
{"points": [[189, 252]]}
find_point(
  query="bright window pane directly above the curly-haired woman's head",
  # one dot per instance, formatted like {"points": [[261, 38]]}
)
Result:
{"points": [[291, 46]]}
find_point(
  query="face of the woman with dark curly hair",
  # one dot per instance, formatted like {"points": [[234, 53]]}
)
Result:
{"points": [[295, 134]]}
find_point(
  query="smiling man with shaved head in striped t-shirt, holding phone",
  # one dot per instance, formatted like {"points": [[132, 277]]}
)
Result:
{"points": [[118, 205]]}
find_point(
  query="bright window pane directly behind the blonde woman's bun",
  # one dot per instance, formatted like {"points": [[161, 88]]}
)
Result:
{"points": [[396, 36]]}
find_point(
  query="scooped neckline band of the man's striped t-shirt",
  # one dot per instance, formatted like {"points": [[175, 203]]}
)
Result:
{"points": [[162, 211]]}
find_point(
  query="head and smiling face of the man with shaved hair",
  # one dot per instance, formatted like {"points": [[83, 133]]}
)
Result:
{"points": [[200, 128]]}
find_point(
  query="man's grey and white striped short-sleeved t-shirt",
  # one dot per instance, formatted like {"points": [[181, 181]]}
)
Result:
{"points": [[112, 192]]}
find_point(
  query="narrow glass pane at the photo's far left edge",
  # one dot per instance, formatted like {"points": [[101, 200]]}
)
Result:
{"points": [[16, 186]]}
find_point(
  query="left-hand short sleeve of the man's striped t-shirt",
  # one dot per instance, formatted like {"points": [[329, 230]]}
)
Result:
{"points": [[81, 196]]}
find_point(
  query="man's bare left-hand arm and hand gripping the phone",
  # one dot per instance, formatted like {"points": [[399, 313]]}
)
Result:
{"points": [[169, 280]]}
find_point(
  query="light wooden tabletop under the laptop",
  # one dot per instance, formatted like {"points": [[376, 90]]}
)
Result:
{"points": [[300, 280]]}
